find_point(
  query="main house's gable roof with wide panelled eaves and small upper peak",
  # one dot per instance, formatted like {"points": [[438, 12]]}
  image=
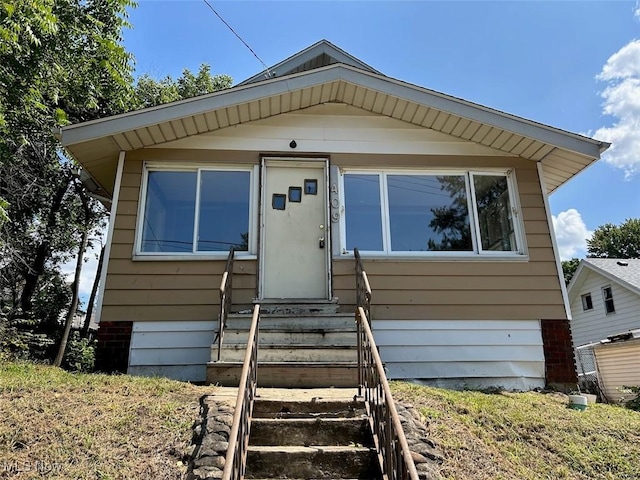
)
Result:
{"points": [[97, 144]]}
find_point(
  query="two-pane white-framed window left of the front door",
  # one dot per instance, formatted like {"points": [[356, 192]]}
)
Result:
{"points": [[195, 210]]}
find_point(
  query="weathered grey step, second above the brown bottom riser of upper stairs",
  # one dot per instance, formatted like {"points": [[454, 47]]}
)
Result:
{"points": [[321, 336]]}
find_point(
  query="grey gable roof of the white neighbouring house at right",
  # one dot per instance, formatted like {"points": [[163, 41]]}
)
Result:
{"points": [[625, 272]]}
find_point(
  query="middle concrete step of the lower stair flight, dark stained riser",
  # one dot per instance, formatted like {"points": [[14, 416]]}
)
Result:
{"points": [[311, 431]]}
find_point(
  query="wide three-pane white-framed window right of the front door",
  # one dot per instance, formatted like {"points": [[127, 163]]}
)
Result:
{"points": [[460, 212]]}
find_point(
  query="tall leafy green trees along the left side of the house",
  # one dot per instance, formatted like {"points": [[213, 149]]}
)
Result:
{"points": [[60, 61]]}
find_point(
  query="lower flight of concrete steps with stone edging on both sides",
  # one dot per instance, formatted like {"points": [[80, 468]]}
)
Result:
{"points": [[302, 434]]}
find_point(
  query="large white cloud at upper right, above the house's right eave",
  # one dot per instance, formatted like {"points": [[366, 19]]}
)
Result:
{"points": [[622, 100]]}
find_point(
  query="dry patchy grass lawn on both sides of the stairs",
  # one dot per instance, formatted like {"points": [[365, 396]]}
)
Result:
{"points": [[59, 425]]}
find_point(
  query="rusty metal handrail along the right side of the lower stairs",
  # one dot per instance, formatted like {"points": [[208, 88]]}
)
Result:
{"points": [[391, 444]]}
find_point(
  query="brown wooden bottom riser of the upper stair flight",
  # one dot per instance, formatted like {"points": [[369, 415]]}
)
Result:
{"points": [[287, 375]]}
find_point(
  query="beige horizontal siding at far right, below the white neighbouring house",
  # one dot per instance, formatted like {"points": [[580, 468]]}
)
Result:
{"points": [[618, 366]]}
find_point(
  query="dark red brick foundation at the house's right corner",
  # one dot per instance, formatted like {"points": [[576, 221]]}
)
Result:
{"points": [[560, 367]]}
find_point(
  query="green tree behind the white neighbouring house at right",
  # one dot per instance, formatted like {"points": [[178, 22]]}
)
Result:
{"points": [[615, 241]]}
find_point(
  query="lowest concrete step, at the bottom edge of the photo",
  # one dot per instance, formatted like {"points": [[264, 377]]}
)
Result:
{"points": [[321, 462]]}
